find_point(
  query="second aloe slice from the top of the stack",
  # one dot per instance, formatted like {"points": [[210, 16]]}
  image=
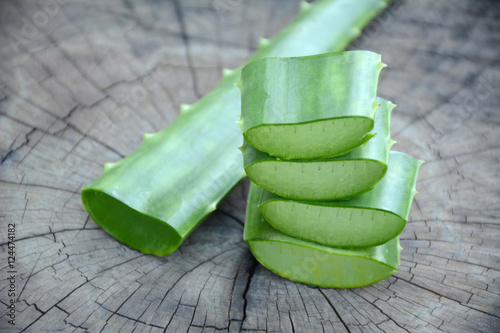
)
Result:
{"points": [[335, 178]]}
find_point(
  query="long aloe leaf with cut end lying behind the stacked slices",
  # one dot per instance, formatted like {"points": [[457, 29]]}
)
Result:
{"points": [[155, 197]]}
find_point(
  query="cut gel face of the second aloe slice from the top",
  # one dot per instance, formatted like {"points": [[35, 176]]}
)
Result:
{"points": [[317, 180]]}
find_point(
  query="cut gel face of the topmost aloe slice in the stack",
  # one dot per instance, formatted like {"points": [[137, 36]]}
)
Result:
{"points": [[310, 140]]}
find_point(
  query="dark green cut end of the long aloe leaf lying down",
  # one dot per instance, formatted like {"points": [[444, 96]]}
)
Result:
{"points": [[137, 230]]}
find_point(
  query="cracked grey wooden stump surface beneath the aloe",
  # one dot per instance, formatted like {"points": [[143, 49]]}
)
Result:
{"points": [[78, 90]]}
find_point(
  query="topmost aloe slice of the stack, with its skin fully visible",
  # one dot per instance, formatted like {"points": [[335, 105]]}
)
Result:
{"points": [[309, 107]]}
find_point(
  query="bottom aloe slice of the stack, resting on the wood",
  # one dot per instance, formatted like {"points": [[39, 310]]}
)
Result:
{"points": [[312, 263]]}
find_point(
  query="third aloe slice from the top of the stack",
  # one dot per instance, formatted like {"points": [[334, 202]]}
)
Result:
{"points": [[370, 219]]}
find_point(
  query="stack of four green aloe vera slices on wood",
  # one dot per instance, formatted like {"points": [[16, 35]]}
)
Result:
{"points": [[328, 198]]}
